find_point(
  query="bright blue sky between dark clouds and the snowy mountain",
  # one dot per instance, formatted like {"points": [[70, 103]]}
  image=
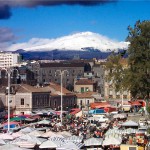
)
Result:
{"points": [[111, 20]]}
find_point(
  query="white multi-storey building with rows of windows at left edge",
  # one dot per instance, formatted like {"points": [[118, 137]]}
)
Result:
{"points": [[8, 59]]}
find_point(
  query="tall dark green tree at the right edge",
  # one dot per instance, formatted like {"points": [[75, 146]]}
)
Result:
{"points": [[139, 59]]}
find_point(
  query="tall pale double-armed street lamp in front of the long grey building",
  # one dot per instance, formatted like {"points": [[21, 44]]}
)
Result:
{"points": [[61, 73]]}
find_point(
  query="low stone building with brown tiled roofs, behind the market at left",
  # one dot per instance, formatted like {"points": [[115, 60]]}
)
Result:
{"points": [[25, 98]]}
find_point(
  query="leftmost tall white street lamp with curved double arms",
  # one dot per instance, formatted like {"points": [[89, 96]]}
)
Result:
{"points": [[9, 71]]}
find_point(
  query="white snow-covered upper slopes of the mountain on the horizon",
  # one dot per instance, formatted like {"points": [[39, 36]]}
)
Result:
{"points": [[78, 41]]}
